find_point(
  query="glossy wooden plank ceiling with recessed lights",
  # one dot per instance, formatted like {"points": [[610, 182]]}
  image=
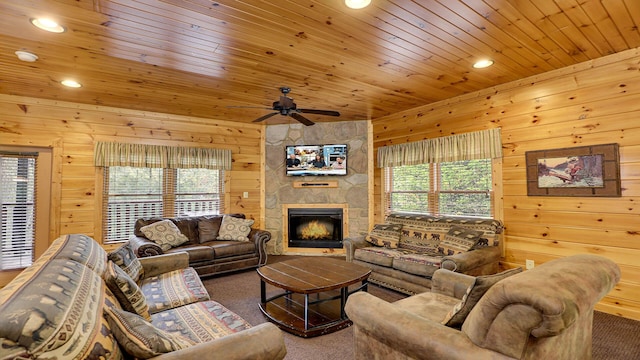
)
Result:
{"points": [[199, 57]]}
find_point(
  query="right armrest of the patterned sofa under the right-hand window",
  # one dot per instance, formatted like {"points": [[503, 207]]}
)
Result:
{"points": [[467, 262]]}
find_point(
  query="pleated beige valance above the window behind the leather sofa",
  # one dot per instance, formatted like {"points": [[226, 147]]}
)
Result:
{"points": [[153, 156]]}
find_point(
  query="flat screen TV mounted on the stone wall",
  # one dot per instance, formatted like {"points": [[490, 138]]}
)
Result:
{"points": [[316, 160]]}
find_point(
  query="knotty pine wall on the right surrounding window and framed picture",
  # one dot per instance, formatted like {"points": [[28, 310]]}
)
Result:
{"points": [[597, 102]]}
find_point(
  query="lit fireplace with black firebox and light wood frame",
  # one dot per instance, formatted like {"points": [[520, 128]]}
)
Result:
{"points": [[314, 228]]}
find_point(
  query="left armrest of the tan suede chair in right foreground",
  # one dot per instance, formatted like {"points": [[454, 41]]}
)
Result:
{"points": [[381, 327]]}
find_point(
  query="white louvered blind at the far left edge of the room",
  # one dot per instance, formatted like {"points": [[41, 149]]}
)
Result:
{"points": [[17, 219]]}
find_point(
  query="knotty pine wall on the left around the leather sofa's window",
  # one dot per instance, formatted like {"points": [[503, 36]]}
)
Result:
{"points": [[72, 129]]}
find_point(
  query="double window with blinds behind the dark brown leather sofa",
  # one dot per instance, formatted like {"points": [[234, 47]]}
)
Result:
{"points": [[131, 193]]}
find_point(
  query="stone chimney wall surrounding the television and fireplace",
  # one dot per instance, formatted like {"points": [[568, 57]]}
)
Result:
{"points": [[352, 189]]}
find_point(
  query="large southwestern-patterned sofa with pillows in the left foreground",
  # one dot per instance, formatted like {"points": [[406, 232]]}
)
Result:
{"points": [[78, 302]]}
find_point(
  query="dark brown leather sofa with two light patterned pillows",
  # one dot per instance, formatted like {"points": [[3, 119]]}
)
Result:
{"points": [[207, 255]]}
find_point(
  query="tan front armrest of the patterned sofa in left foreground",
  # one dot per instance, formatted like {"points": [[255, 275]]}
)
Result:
{"points": [[261, 342]]}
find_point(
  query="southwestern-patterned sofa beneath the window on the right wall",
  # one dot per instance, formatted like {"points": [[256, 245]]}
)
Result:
{"points": [[405, 251]]}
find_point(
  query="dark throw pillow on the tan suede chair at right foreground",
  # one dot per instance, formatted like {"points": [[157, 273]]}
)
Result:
{"points": [[459, 313]]}
